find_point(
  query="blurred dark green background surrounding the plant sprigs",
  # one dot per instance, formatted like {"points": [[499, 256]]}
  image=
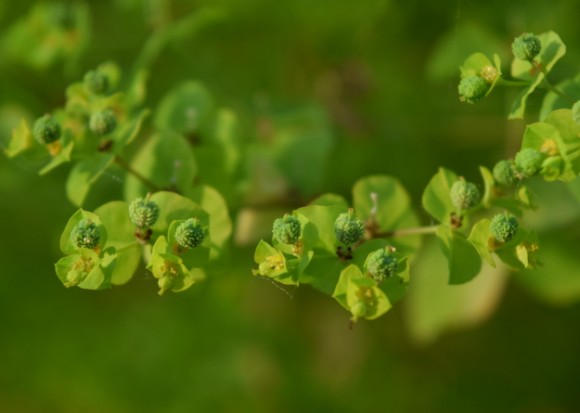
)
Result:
{"points": [[385, 74]]}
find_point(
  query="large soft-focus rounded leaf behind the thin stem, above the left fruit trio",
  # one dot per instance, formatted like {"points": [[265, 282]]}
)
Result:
{"points": [[166, 160]]}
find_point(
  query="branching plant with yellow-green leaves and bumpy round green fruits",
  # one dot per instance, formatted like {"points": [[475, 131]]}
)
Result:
{"points": [[193, 163]]}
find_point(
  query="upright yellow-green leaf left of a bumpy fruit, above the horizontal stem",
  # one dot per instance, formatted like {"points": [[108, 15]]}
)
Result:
{"points": [[436, 199]]}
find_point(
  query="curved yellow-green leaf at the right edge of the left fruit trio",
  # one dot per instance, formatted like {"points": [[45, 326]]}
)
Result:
{"points": [[220, 224]]}
